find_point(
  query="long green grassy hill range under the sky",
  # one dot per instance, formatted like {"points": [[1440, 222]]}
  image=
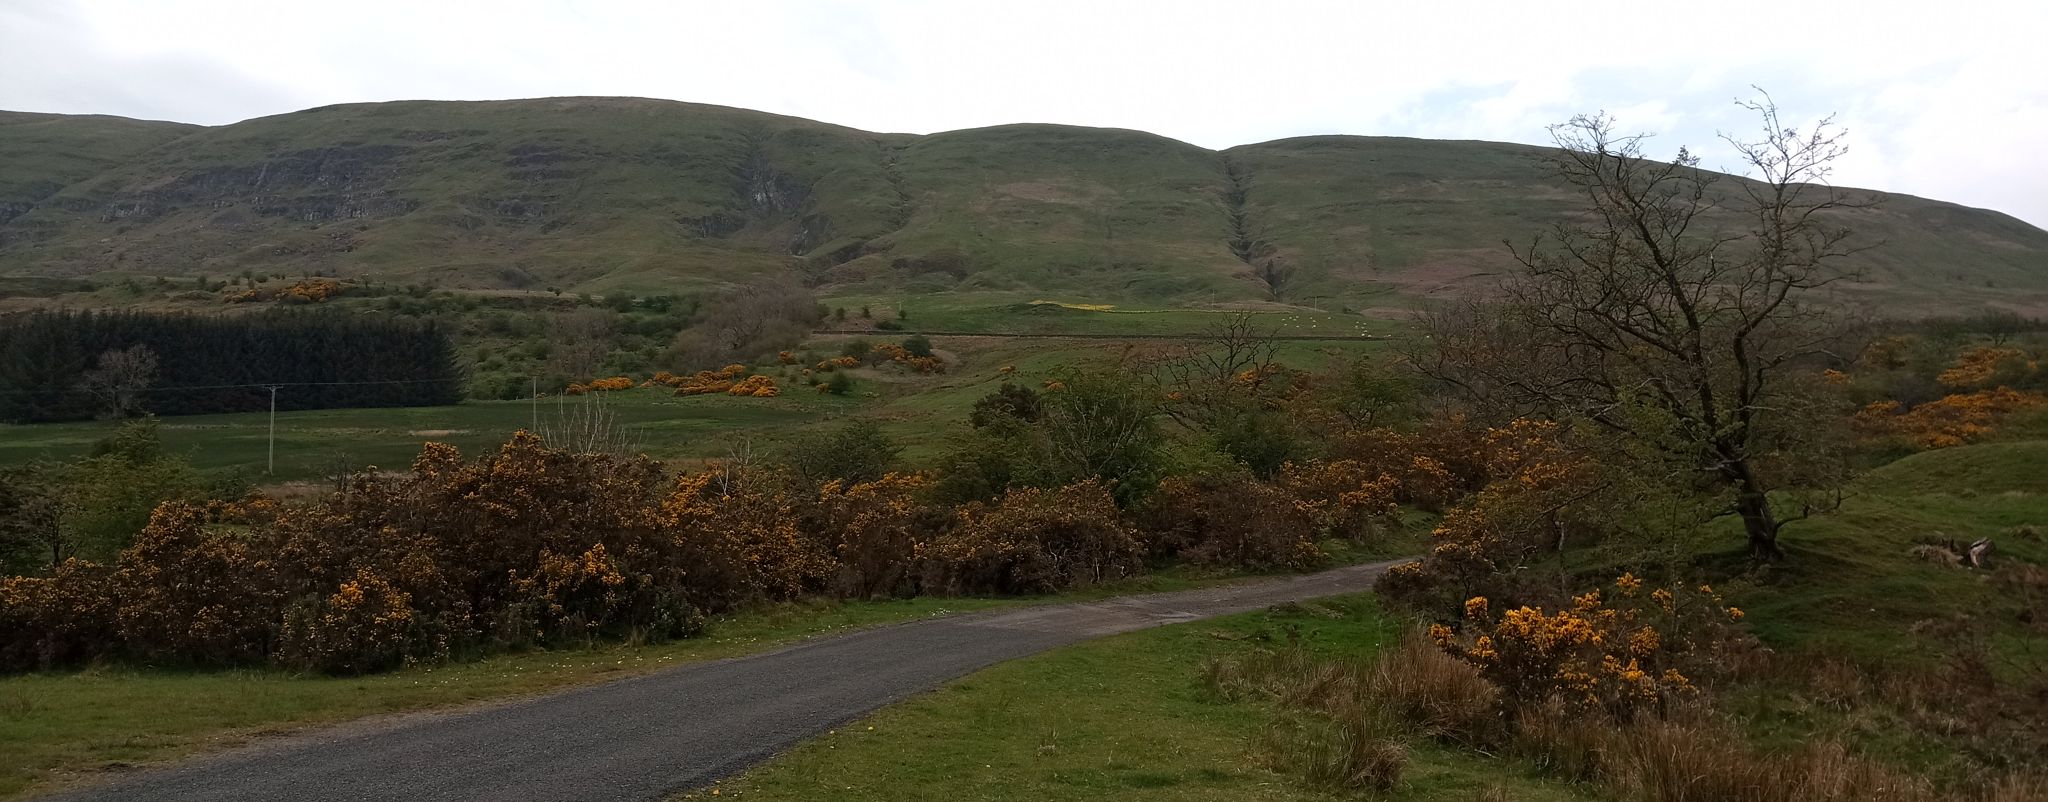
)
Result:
{"points": [[638, 195]]}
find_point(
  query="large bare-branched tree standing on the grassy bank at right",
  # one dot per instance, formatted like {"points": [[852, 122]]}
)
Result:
{"points": [[1672, 312]]}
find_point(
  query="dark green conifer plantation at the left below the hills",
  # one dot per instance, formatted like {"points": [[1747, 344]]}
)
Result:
{"points": [[75, 365]]}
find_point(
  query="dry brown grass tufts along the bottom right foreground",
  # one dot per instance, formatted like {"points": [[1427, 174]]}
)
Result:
{"points": [[1687, 756]]}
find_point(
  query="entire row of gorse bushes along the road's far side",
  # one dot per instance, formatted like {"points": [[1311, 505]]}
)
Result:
{"points": [[546, 547]]}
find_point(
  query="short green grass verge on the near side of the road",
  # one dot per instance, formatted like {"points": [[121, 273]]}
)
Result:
{"points": [[1119, 719]]}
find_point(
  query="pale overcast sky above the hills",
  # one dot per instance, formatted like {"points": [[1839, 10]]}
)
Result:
{"points": [[1943, 99]]}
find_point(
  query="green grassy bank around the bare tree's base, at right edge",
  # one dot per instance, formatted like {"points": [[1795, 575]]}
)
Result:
{"points": [[1850, 590]]}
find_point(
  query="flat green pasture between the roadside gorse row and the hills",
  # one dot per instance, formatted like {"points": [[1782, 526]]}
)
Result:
{"points": [[916, 410]]}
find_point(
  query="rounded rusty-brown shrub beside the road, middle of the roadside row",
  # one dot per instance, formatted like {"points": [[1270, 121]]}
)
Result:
{"points": [[1035, 541]]}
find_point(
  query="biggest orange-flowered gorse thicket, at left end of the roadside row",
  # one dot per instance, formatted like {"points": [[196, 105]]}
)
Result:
{"points": [[523, 547]]}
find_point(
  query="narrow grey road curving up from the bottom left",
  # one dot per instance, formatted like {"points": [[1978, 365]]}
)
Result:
{"points": [[654, 736]]}
